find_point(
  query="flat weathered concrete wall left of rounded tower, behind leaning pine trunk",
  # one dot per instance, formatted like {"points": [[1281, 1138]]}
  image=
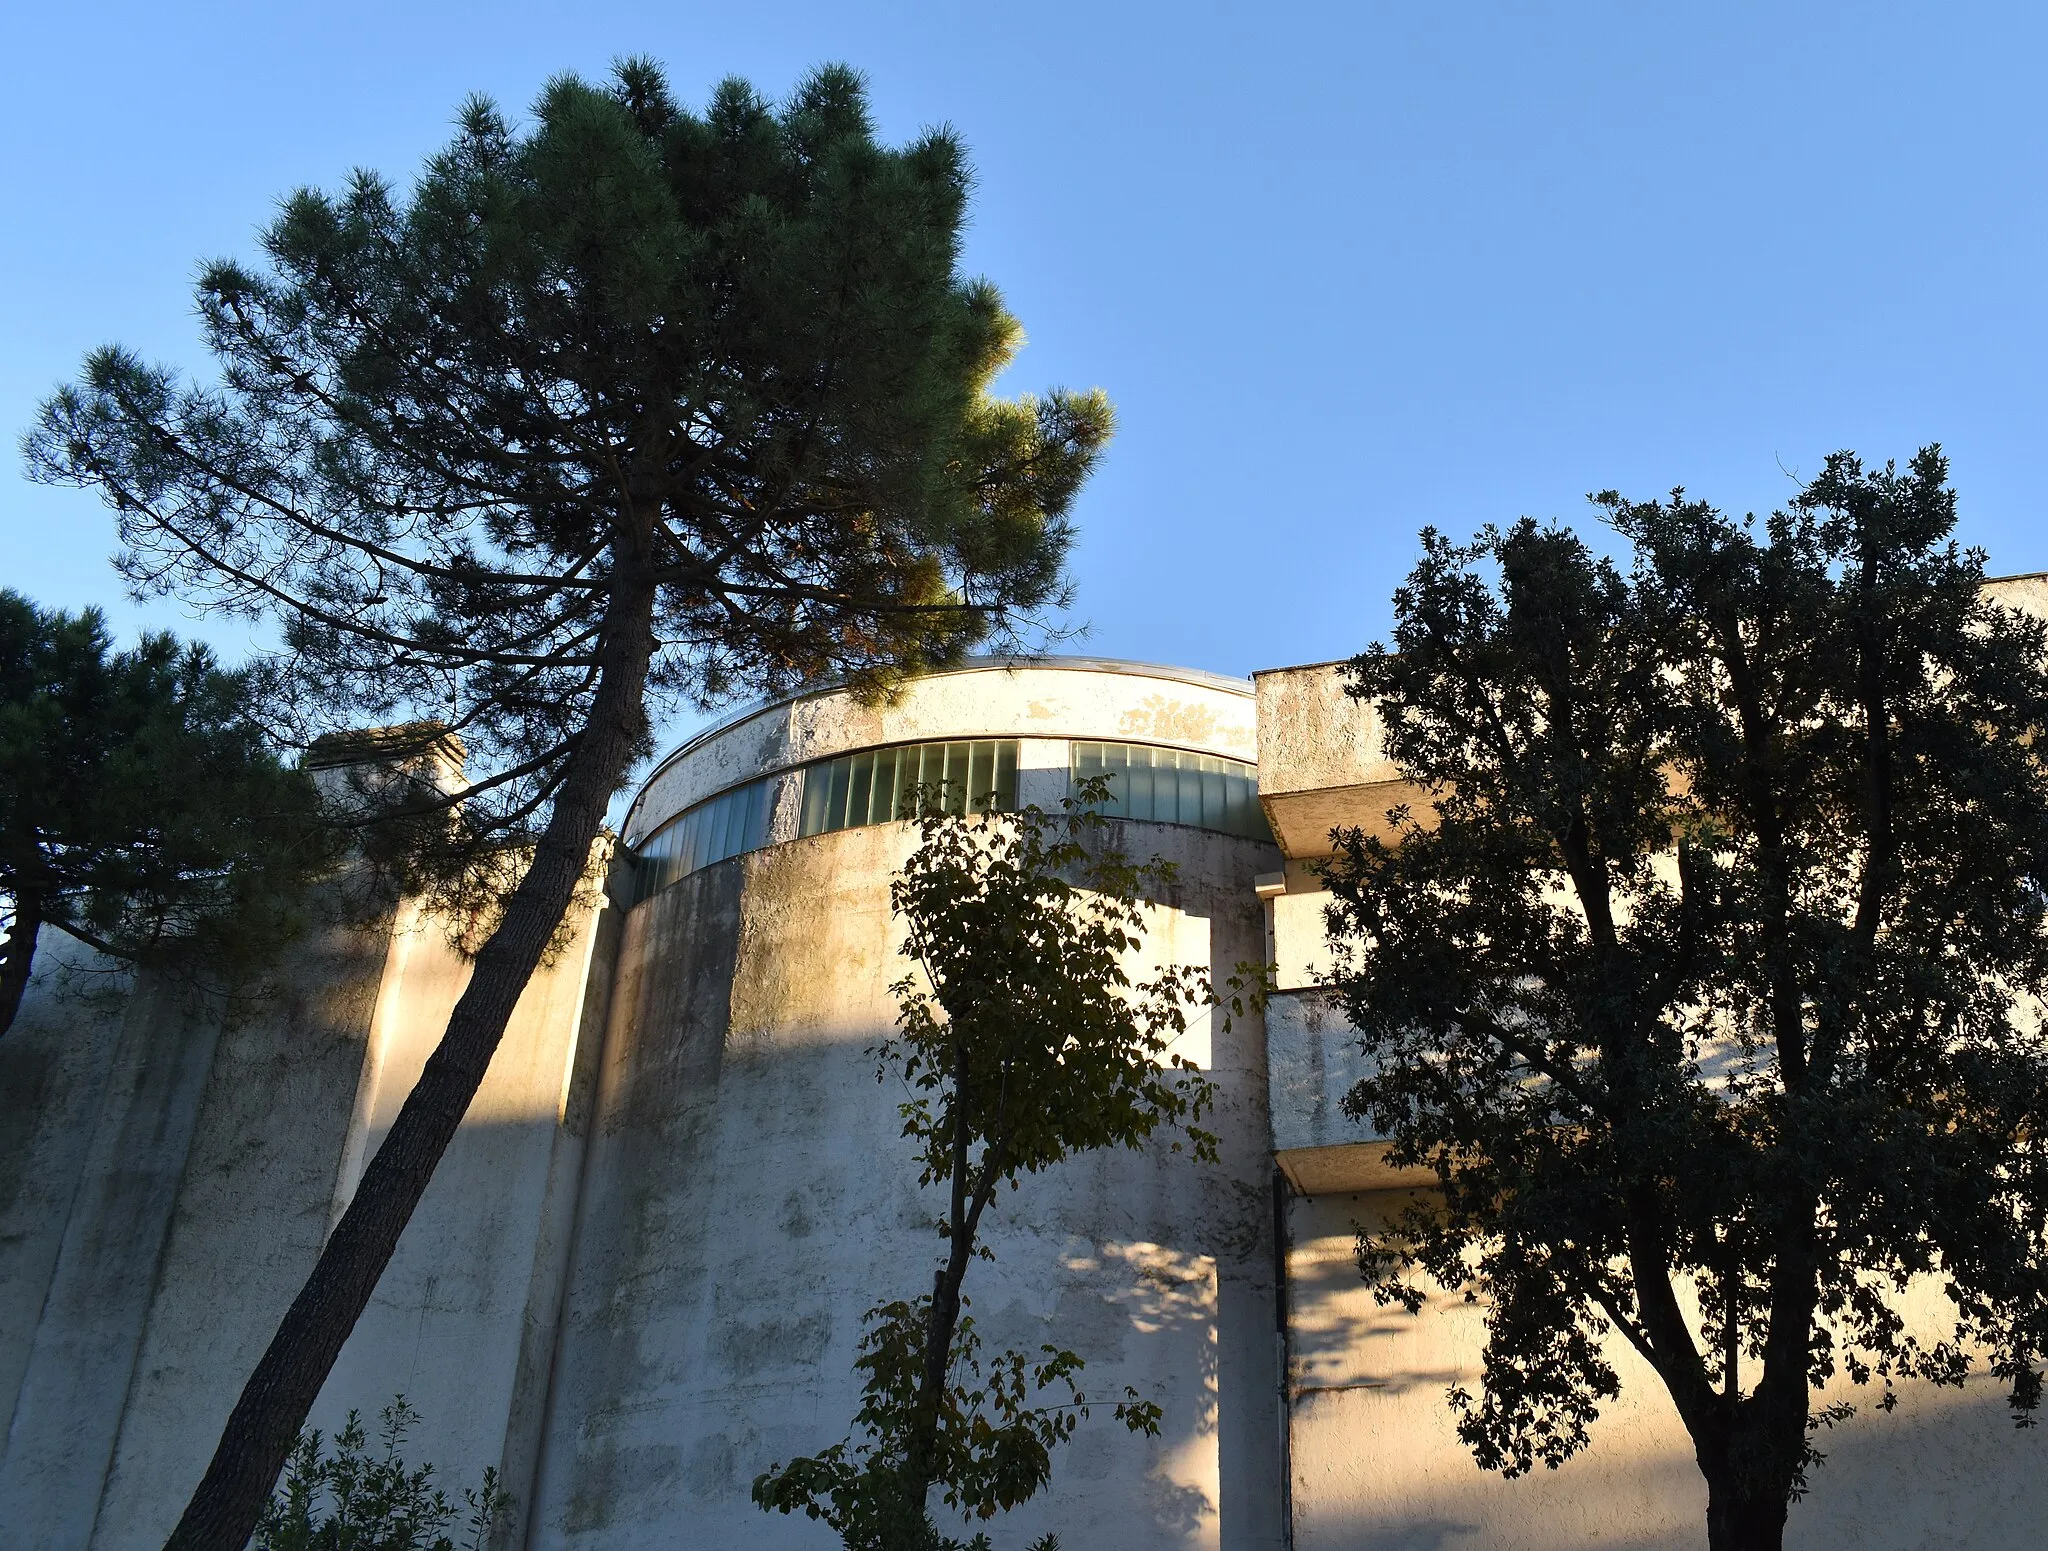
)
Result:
{"points": [[169, 1187]]}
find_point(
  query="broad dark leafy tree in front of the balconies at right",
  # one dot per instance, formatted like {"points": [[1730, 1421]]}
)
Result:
{"points": [[1707, 982]]}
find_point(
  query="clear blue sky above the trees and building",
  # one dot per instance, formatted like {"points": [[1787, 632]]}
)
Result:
{"points": [[1345, 269]]}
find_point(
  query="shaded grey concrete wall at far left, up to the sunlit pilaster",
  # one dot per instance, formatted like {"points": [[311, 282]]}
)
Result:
{"points": [[183, 1171]]}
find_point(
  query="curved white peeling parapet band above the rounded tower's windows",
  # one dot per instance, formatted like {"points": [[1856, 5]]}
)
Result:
{"points": [[1054, 702]]}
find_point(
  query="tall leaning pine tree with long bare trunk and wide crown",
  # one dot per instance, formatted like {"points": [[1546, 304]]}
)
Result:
{"points": [[615, 411]]}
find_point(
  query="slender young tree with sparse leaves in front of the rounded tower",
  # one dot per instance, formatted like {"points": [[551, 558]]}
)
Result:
{"points": [[1025, 1042]]}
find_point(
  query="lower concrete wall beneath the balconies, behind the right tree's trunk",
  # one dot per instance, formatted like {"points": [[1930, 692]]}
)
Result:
{"points": [[1377, 1462]]}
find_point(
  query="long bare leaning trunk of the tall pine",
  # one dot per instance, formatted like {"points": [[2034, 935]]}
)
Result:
{"points": [[278, 1398]]}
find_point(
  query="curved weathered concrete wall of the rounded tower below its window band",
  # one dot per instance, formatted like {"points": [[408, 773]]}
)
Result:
{"points": [[749, 1196]]}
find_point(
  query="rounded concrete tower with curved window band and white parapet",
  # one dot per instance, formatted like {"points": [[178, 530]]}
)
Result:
{"points": [[749, 1196]]}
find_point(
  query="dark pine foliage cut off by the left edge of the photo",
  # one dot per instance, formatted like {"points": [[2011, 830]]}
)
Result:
{"points": [[142, 808]]}
